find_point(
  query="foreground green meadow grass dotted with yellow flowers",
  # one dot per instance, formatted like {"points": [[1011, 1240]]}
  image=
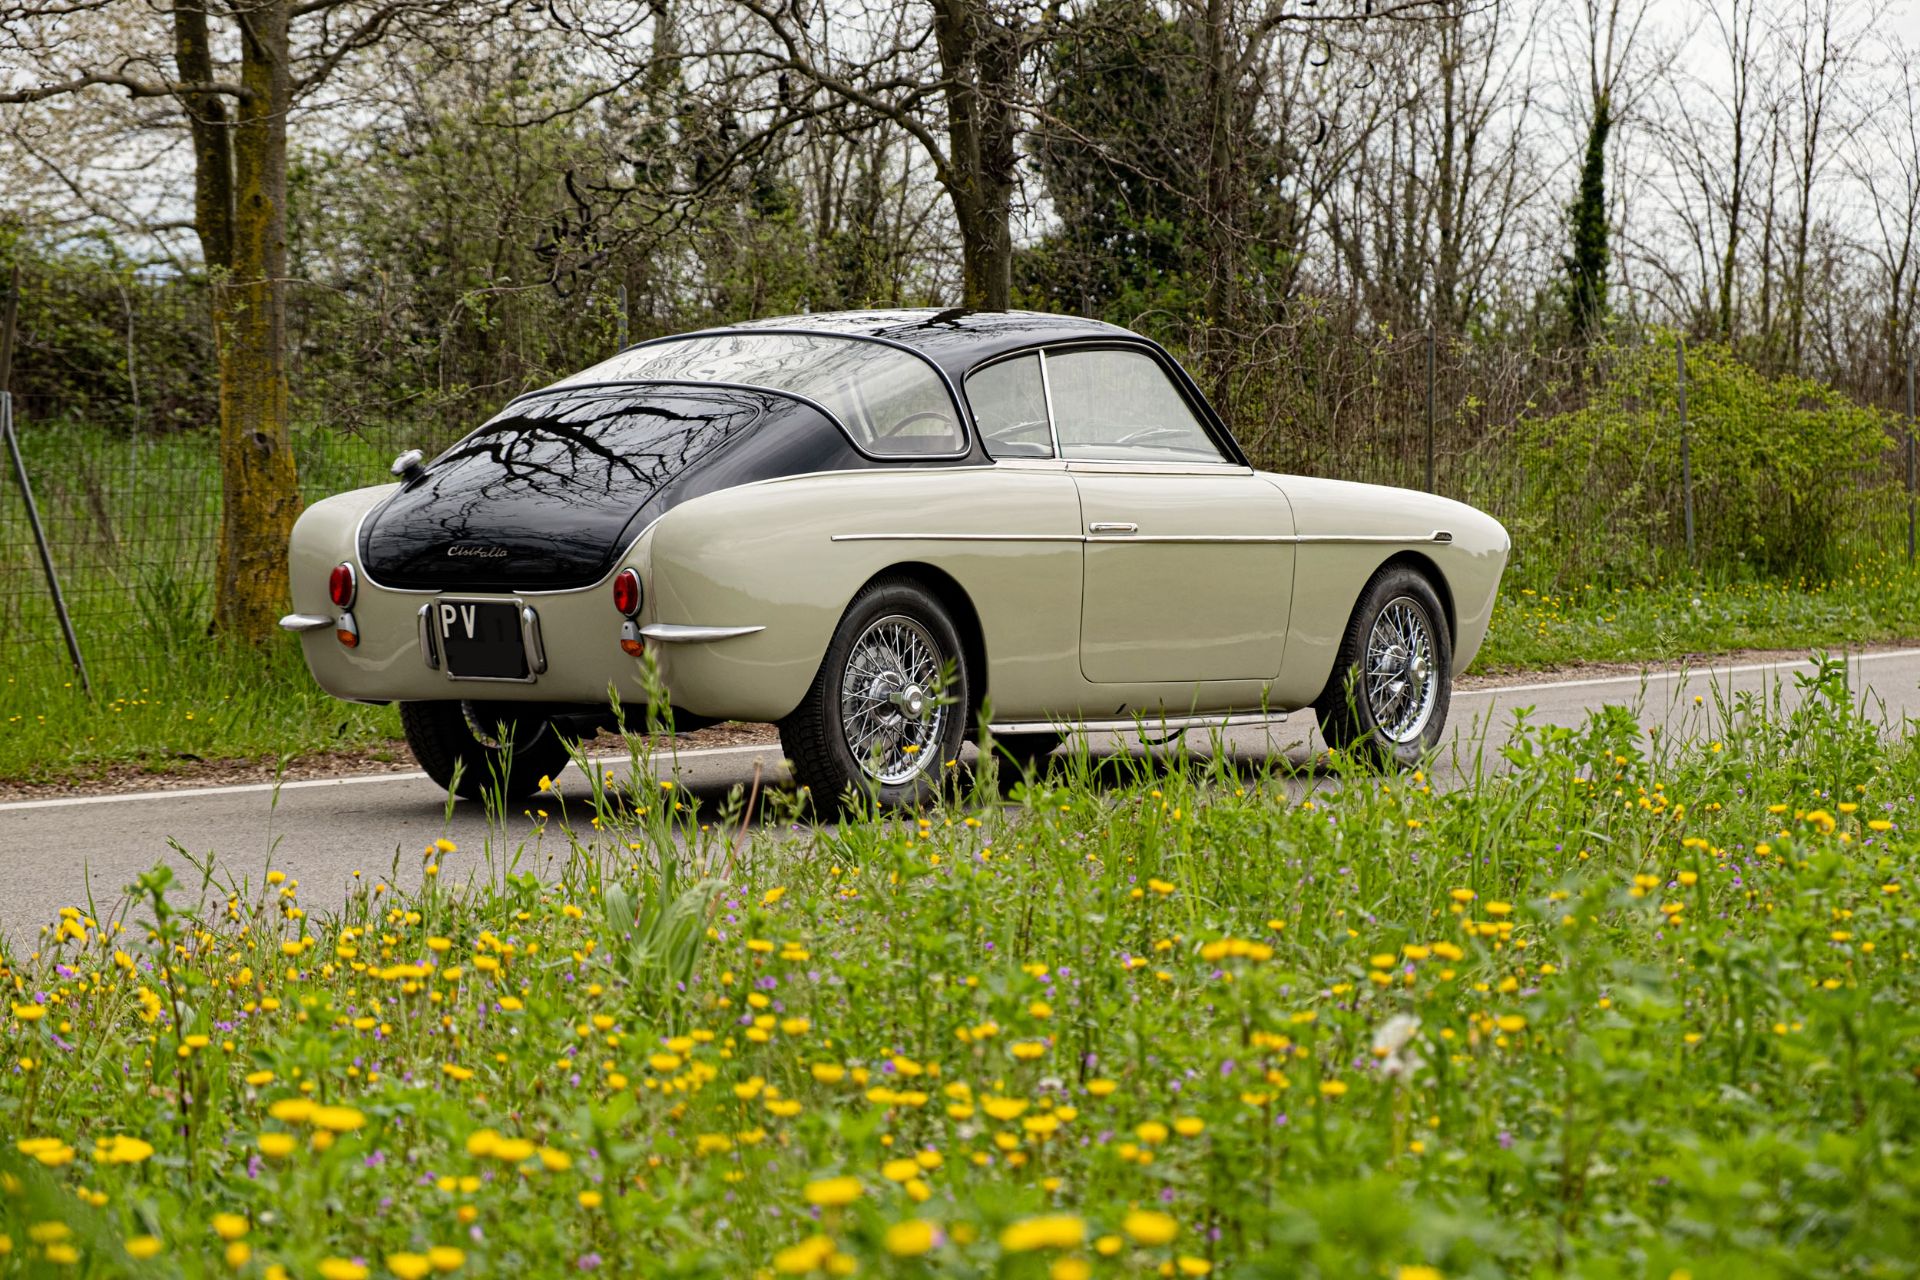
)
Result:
{"points": [[1621, 1010]]}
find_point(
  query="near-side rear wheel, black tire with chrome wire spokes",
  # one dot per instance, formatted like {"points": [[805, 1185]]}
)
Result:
{"points": [[817, 734]]}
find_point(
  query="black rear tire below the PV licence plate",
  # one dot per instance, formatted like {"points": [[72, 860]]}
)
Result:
{"points": [[514, 755]]}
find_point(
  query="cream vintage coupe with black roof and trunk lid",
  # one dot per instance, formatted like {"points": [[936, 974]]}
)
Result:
{"points": [[878, 531]]}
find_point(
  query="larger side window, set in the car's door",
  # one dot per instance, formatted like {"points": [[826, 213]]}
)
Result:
{"points": [[1120, 408]]}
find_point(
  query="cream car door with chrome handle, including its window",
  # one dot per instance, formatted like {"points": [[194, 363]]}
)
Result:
{"points": [[1189, 557]]}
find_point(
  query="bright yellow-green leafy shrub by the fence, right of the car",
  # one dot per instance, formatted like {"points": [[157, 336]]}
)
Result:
{"points": [[1790, 479]]}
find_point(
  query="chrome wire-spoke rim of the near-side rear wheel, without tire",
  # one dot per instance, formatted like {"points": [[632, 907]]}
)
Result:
{"points": [[892, 709]]}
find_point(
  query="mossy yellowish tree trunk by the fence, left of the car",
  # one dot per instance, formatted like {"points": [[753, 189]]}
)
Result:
{"points": [[258, 485]]}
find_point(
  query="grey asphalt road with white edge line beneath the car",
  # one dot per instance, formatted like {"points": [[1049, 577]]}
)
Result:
{"points": [[322, 832]]}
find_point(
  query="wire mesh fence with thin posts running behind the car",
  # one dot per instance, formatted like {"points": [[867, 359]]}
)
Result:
{"points": [[1579, 452]]}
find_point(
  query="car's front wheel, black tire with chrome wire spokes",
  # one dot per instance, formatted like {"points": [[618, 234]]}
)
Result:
{"points": [[1353, 719]]}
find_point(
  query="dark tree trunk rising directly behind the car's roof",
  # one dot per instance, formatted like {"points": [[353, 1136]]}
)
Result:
{"points": [[980, 60]]}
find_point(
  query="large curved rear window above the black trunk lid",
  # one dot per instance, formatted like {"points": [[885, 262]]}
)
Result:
{"points": [[888, 400]]}
